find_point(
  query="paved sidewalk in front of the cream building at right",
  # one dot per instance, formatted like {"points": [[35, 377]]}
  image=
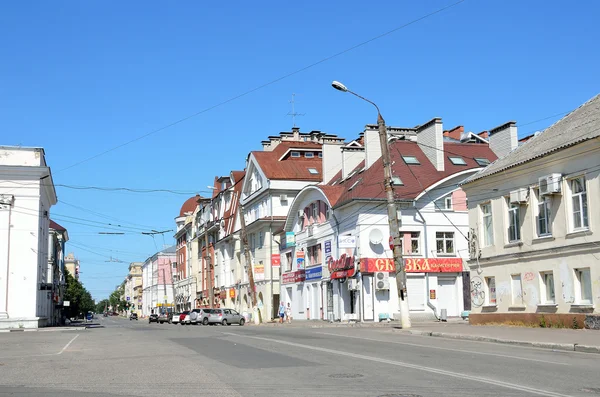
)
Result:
{"points": [[580, 340]]}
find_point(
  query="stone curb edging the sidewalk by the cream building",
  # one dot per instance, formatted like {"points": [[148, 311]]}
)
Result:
{"points": [[541, 345]]}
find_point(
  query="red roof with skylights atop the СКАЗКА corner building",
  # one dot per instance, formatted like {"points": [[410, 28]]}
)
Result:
{"points": [[422, 176]]}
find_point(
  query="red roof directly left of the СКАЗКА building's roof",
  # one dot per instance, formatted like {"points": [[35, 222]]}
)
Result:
{"points": [[290, 168]]}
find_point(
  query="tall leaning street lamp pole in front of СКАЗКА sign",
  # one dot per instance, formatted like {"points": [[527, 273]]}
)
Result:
{"points": [[391, 207]]}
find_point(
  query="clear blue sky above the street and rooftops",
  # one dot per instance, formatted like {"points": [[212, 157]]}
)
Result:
{"points": [[79, 78]]}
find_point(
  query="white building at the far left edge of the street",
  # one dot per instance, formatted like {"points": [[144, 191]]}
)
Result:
{"points": [[26, 195]]}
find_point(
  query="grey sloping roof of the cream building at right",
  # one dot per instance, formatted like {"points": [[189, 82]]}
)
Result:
{"points": [[580, 125]]}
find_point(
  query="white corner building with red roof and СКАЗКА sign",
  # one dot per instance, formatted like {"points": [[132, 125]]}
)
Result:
{"points": [[340, 231]]}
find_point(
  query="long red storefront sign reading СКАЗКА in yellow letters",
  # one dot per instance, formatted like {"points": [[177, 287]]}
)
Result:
{"points": [[412, 265]]}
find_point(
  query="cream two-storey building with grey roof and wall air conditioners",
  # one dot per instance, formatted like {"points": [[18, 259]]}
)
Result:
{"points": [[534, 222]]}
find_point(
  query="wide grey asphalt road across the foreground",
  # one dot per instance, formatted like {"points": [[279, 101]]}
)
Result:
{"points": [[125, 358]]}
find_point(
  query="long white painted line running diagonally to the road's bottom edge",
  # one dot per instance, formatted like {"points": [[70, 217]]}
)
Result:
{"points": [[459, 375]]}
